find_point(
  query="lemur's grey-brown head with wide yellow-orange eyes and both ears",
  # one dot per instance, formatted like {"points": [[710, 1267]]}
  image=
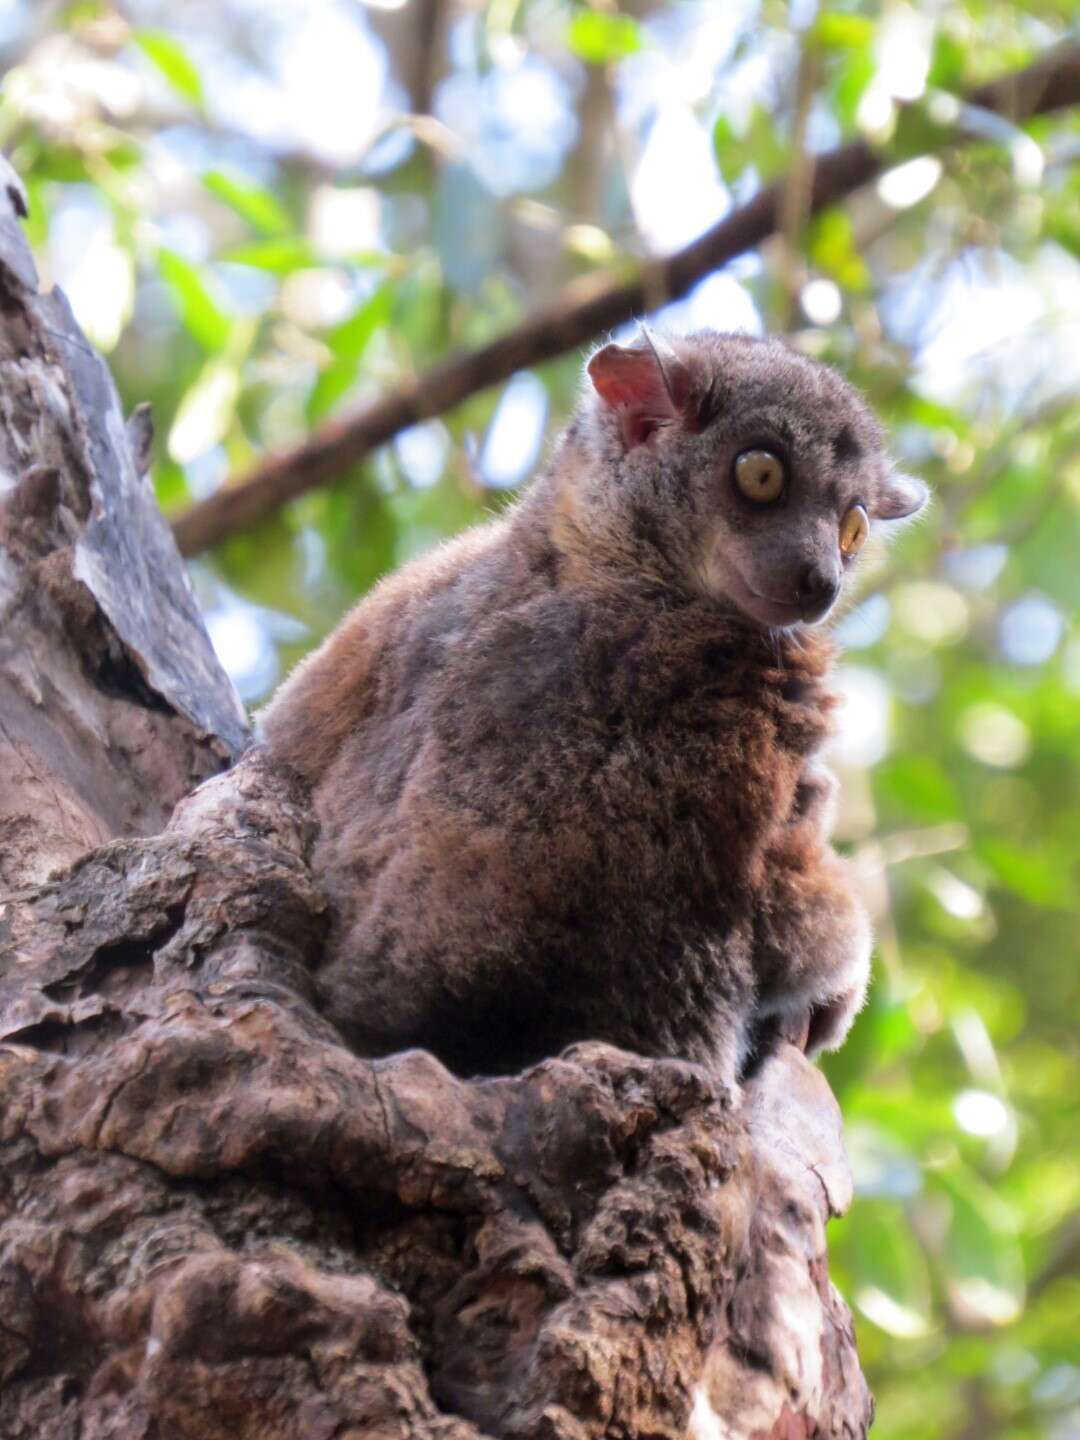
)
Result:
{"points": [[739, 466]]}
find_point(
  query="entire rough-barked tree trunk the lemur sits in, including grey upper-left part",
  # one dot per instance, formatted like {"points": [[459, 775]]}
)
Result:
{"points": [[215, 1220]]}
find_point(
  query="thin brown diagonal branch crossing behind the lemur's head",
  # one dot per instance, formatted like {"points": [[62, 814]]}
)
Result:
{"points": [[587, 309]]}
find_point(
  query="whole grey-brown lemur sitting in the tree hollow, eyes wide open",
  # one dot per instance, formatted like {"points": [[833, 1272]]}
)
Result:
{"points": [[565, 767]]}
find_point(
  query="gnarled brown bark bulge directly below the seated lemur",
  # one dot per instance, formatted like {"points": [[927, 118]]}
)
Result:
{"points": [[220, 1223]]}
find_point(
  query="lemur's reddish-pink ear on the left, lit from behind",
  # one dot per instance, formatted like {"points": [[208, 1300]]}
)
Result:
{"points": [[647, 385]]}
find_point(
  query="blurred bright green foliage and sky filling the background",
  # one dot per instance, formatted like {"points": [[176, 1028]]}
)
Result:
{"points": [[267, 212]]}
